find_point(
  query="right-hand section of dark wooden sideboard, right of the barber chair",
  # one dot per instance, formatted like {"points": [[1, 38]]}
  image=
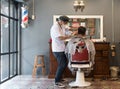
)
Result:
{"points": [[101, 68]]}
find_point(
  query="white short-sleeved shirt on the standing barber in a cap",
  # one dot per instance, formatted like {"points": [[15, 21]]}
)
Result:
{"points": [[57, 44]]}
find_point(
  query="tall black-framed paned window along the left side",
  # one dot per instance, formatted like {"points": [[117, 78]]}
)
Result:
{"points": [[9, 27]]}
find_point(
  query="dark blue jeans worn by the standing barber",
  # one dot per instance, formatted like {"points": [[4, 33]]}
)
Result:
{"points": [[62, 64]]}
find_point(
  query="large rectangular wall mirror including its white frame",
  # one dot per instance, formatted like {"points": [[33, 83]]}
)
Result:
{"points": [[93, 23]]}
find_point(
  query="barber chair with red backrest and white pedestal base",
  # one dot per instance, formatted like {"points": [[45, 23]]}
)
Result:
{"points": [[80, 60]]}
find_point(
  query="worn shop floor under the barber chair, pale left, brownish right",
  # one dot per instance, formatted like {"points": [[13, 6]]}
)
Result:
{"points": [[27, 82]]}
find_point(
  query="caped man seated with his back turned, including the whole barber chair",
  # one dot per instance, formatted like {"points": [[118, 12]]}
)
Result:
{"points": [[80, 52]]}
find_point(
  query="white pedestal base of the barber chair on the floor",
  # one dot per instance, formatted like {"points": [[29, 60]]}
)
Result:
{"points": [[80, 81]]}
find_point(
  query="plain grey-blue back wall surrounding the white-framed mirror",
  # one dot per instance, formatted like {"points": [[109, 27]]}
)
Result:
{"points": [[35, 38]]}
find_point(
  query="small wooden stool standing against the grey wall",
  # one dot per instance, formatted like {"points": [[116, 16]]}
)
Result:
{"points": [[36, 64]]}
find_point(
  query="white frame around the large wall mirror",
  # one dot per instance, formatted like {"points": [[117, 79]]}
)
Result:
{"points": [[86, 16]]}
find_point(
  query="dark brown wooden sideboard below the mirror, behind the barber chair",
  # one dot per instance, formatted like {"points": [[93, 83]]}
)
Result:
{"points": [[101, 67]]}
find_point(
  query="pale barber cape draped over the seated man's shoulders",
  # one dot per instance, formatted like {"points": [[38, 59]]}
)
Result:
{"points": [[71, 49]]}
